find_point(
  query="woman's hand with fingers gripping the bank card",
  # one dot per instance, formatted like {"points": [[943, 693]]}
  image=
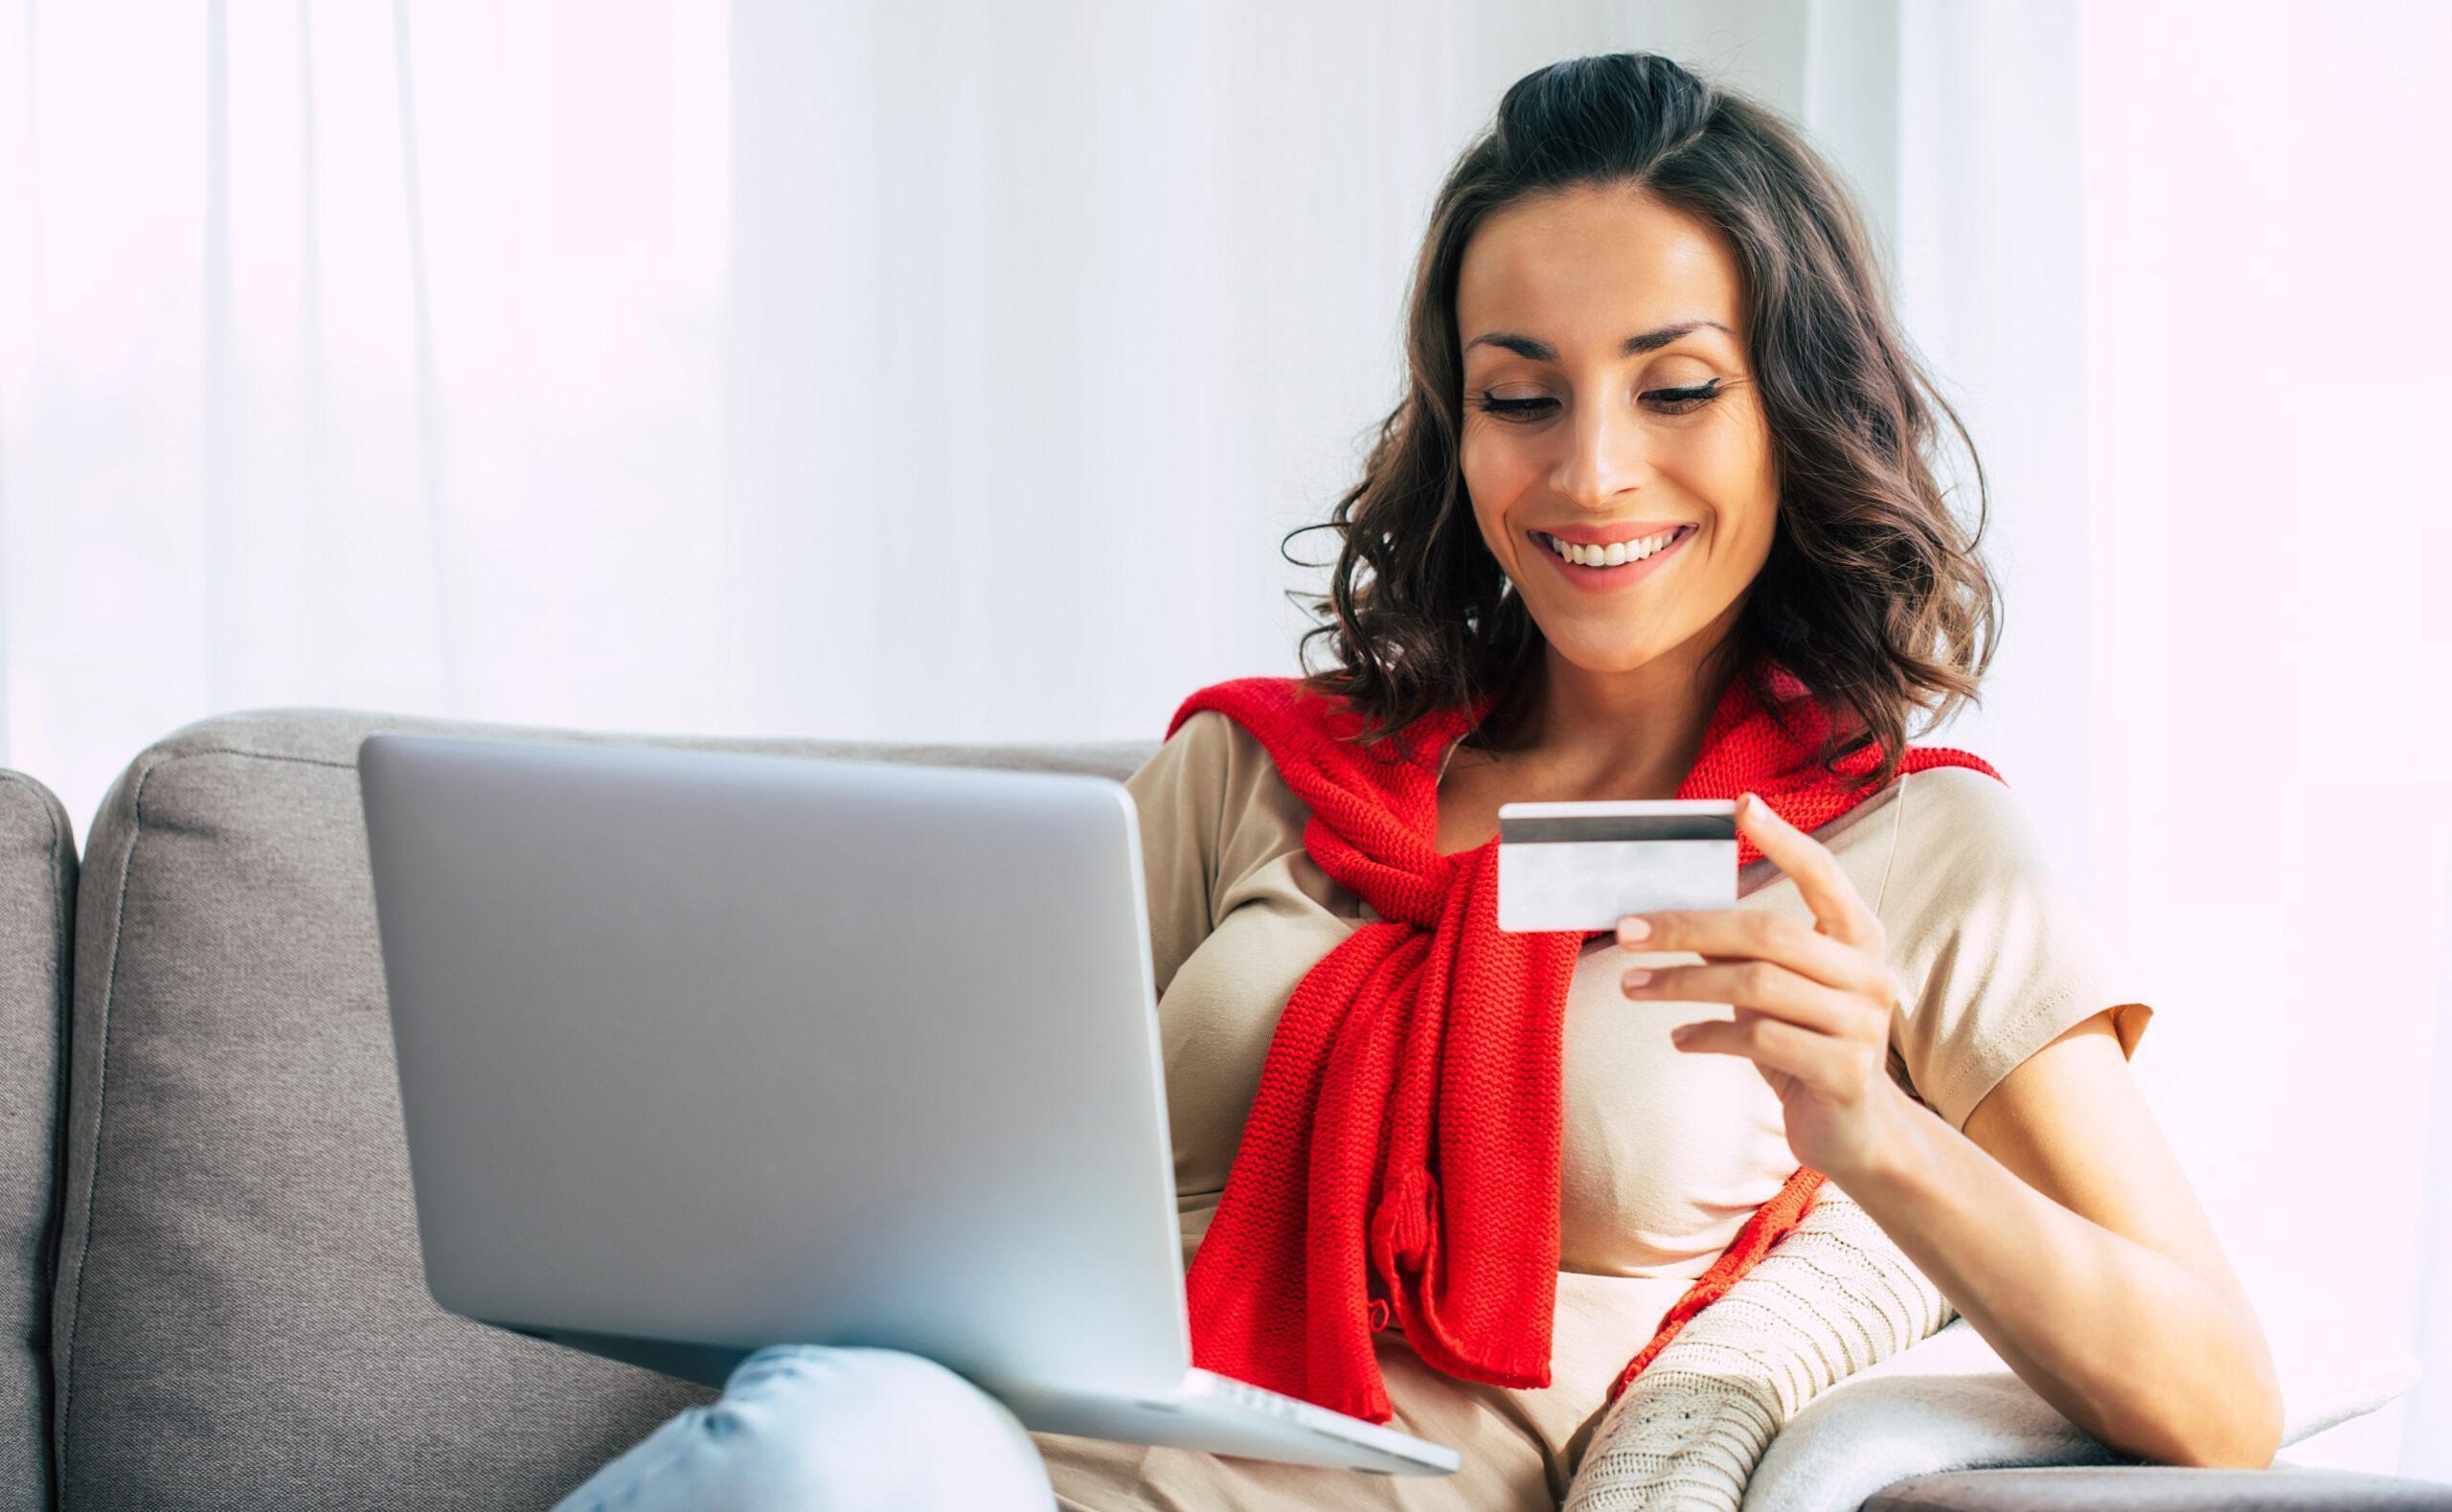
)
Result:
{"points": [[1813, 1006]]}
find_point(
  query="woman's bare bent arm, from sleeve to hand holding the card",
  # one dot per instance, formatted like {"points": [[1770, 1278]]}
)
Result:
{"points": [[2058, 1222]]}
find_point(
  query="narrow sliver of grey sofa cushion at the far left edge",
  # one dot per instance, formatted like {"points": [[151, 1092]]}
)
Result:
{"points": [[38, 903]]}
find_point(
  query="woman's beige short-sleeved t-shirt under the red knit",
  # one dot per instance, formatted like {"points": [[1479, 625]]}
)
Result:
{"points": [[1666, 1153]]}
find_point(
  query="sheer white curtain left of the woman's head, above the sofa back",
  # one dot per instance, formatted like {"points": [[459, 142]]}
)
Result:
{"points": [[845, 371]]}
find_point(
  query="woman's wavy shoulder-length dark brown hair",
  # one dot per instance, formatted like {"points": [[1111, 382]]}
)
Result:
{"points": [[1872, 594]]}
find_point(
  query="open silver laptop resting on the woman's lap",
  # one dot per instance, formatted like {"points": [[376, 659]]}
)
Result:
{"points": [[705, 1053]]}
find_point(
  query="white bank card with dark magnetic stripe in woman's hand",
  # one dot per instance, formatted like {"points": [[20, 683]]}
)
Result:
{"points": [[1588, 866]]}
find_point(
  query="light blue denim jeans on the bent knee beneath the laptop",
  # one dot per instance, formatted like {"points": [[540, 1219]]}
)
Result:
{"points": [[830, 1430]]}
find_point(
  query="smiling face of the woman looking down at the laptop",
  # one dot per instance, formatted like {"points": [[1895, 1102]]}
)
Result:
{"points": [[1607, 398]]}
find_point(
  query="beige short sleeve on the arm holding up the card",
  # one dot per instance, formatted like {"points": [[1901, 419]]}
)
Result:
{"points": [[1997, 957]]}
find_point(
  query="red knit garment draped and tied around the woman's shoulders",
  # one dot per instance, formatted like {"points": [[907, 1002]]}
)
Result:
{"points": [[1404, 1153]]}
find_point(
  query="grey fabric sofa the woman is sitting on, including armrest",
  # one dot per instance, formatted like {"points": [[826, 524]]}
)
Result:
{"points": [[212, 1280]]}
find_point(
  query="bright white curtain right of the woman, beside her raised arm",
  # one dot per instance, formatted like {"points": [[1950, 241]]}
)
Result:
{"points": [[2184, 266]]}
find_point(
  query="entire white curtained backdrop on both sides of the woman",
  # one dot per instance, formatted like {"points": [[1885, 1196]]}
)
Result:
{"points": [[955, 371]]}
